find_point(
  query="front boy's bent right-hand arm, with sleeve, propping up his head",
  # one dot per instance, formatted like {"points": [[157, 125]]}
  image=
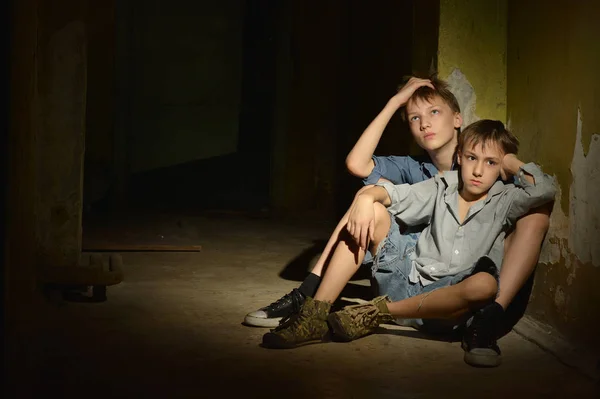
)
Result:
{"points": [[534, 187]]}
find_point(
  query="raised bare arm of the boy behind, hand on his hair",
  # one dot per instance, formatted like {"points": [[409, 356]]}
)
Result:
{"points": [[360, 159]]}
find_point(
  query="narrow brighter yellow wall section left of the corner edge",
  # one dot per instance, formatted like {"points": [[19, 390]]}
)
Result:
{"points": [[472, 56]]}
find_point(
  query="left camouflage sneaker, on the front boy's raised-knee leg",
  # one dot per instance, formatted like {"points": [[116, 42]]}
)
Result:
{"points": [[305, 327]]}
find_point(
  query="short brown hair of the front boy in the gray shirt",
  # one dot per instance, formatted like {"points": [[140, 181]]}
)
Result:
{"points": [[485, 131]]}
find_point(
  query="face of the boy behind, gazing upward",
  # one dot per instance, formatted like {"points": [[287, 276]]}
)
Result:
{"points": [[433, 123]]}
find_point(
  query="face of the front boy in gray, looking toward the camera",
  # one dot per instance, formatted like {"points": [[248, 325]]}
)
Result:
{"points": [[479, 168]]}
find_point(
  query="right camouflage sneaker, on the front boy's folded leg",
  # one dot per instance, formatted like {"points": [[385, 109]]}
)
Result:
{"points": [[356, 321]]}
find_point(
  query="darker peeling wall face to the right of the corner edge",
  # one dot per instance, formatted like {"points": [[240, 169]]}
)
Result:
{"points": [[553, 107]]}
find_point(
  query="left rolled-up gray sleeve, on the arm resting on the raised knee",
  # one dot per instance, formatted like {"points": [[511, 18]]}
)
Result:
{"points": [[413, 204]]}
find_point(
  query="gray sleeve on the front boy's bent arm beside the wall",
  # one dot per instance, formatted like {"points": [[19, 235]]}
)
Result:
{"points": [[530, 195]]}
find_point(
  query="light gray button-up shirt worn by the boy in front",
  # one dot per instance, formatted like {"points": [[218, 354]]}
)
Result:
{"points": [[447, 246]]}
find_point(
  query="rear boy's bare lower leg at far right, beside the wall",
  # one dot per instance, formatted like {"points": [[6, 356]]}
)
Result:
{"points": [[521, 252]]}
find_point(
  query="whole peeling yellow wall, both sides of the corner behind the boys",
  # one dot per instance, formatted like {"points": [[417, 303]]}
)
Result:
{"points": [[541, 57]]}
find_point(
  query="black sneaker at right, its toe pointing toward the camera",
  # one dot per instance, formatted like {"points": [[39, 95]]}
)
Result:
{"points": [[479, 340]]}
